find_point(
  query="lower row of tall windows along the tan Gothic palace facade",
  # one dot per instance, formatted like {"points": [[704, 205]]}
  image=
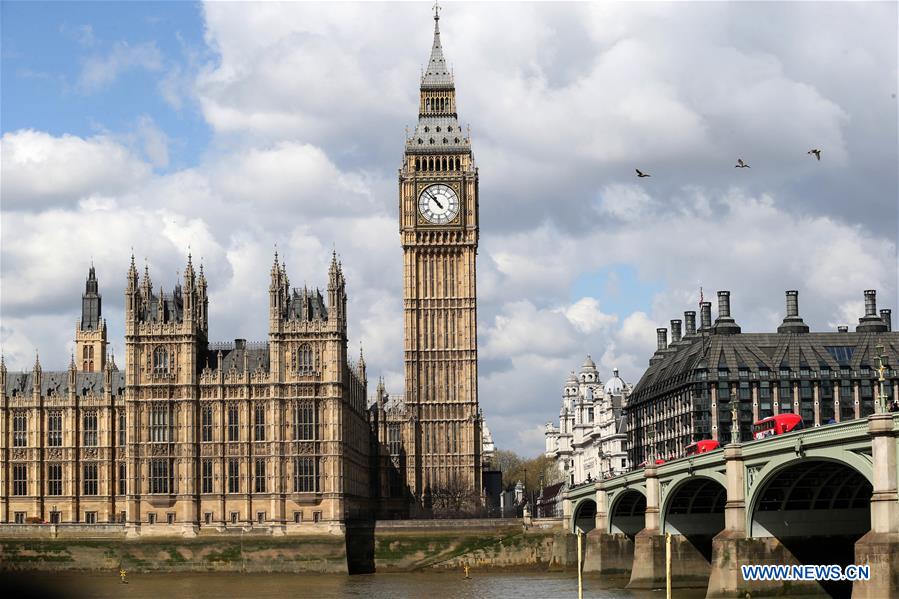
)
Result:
{"points": [[305, 477]]}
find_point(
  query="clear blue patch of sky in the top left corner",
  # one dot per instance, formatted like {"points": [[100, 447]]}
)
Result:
{"points": [[48, 83]]}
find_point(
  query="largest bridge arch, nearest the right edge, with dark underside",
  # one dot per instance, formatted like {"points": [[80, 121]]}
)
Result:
{"points": [[816, 507]]}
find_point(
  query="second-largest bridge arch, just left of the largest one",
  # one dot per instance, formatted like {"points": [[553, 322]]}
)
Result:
{"points": [[693, 507]]}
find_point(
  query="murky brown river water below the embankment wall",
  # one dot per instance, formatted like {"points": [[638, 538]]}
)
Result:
{"points": [[443, 585]]}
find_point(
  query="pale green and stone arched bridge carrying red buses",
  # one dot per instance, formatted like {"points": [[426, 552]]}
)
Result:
{"points": [[826, 495]]}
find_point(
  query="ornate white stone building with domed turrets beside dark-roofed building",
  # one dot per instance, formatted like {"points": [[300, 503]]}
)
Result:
{"points": [[590, 441]]}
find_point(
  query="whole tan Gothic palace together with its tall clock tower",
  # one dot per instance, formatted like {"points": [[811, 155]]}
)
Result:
{"points": [[193, 434]]}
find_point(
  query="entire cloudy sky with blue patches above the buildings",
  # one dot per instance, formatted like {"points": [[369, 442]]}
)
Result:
{"points": [[229, 127]]}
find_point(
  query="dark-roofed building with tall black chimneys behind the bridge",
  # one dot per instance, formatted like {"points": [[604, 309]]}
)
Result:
{"points": [[692, 385]]}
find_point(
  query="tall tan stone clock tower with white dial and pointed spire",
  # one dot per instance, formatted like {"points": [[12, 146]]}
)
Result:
{"points": [[438, 209]]}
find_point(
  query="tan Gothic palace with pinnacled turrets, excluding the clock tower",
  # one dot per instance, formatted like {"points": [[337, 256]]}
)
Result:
{"points": [[193, 434]]}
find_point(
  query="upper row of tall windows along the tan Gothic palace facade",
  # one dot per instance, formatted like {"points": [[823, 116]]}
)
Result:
{"points": [[304, 425]]}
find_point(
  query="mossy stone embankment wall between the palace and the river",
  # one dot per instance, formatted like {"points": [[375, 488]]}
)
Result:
{"points": [[397, 546]]}
